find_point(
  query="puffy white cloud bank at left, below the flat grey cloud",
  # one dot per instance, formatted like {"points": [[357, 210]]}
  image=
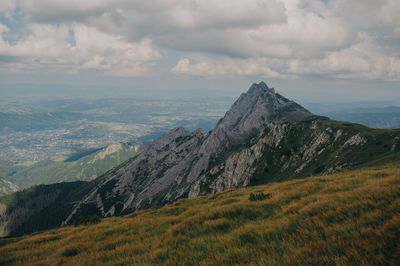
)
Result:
{"points": [[91, 49]]}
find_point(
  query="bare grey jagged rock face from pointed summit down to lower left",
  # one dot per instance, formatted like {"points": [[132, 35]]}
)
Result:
{"points": [[166, 169]]}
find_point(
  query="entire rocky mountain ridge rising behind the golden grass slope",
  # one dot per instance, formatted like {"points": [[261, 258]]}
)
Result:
{"points": [[264, 137]]}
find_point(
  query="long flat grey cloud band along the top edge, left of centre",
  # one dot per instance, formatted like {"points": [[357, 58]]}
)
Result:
{"points": [[159, 16]]}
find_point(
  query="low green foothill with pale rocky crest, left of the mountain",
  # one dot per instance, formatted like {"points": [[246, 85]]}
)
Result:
{"points": [[85, 169]]}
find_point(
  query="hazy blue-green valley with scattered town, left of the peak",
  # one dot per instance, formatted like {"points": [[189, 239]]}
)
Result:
{"points": [[36, 136]]}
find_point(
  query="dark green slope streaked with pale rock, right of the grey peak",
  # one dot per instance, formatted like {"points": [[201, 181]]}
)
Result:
{"points": [[292, 150]]}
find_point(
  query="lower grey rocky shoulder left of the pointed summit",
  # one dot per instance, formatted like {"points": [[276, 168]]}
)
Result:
{"points": [[158, 168]]}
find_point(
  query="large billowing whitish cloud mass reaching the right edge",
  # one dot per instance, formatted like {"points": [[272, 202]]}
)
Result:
{"points": [[316, 40]]}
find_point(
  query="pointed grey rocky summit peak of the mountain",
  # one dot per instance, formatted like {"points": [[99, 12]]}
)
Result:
{"points": [[250, 114]]}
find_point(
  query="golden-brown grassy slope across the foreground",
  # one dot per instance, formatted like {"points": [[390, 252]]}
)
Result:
{"points": [[347, 218]]}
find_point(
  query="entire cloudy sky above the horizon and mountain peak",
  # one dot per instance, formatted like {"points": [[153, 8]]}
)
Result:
{"points": [[310, 49]]}
